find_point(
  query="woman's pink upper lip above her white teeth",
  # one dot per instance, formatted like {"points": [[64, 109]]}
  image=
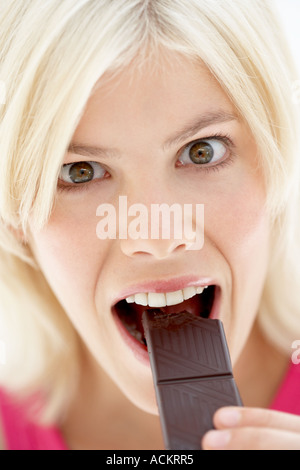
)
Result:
{"points": [[164, 285]]}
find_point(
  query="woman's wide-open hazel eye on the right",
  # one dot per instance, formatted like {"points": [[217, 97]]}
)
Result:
{"points": [[203, 152]]}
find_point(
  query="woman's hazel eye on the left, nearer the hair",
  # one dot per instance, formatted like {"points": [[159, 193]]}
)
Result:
{"points": [[81, 172]]}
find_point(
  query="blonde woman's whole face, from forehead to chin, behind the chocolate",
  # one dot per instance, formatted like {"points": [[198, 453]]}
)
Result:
{"points": [[164, 137]]}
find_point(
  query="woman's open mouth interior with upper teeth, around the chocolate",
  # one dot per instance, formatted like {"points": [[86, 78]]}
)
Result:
{"points": [[196, 300]]}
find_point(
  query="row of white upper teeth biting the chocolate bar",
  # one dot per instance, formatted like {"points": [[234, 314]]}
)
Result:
{"points": [[158, 299]]}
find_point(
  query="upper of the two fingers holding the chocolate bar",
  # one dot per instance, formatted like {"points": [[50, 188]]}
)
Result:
{"points": [[231, 417]]}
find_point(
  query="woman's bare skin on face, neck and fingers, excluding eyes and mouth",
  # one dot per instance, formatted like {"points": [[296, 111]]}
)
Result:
{"points": [[132, 116]]}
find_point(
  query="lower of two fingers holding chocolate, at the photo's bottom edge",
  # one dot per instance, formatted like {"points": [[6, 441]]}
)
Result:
{"points": [[251, 438]]}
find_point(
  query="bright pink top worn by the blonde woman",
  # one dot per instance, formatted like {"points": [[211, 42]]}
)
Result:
{"points": [[21, 434]]}
